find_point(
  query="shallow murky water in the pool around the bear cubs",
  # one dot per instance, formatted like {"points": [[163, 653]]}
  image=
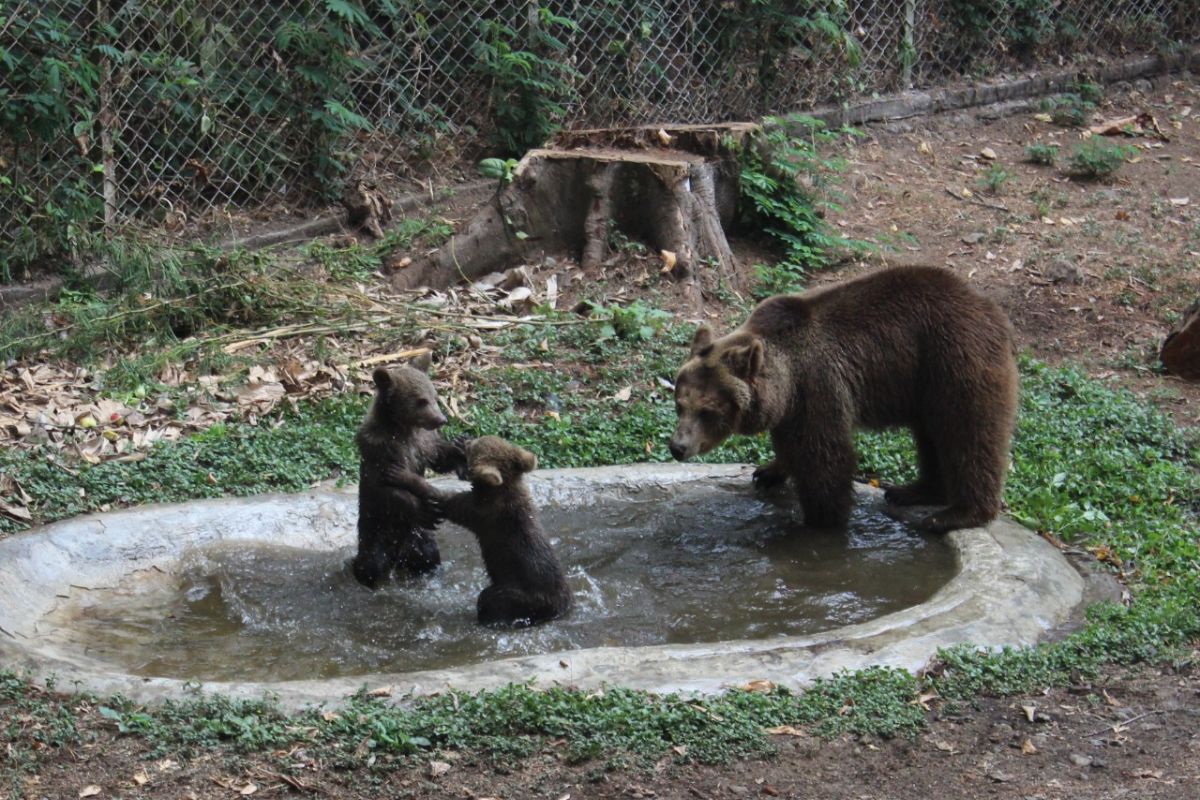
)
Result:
{"points": [[705, 567]]}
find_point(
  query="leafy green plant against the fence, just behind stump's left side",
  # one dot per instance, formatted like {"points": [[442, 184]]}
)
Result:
{"points": [[530, 80]]}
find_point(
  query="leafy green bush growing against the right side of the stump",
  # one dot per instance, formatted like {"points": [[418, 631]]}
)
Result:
{"points": [[785, 193]]}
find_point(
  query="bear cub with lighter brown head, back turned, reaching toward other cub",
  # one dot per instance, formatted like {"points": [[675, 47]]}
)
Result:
{"points": [[527, 582]]}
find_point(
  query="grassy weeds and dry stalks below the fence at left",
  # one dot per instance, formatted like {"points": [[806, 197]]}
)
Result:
{"points": [[160, 300]]}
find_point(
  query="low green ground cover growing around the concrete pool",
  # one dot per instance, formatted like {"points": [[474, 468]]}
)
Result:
{"points": [[1093, 465]]}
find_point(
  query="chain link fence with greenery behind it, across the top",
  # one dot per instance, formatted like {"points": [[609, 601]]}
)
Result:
{"points": [[166, 112]]}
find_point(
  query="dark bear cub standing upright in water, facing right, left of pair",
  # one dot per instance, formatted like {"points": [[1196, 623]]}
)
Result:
{"points": [[400, 432]]}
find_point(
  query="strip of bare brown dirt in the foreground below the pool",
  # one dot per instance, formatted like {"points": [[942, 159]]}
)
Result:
{"points": [[1125, 736]]}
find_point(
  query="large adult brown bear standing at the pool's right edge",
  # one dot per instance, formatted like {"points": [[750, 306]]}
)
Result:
{"points": [[910, 347]]}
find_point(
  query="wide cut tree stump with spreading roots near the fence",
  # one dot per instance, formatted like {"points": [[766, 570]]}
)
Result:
{"points": [[674, 188]]}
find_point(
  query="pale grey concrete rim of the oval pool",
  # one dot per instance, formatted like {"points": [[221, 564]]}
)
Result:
{"points": [[1013, 588]]}
